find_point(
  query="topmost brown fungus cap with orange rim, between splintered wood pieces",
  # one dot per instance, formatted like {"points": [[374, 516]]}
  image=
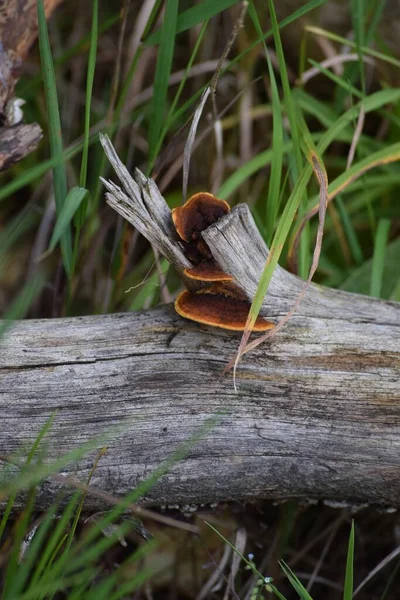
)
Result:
{"points": [[198, 213]]}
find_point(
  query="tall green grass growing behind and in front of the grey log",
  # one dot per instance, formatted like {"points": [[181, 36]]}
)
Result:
{"points": [[152, 103]]}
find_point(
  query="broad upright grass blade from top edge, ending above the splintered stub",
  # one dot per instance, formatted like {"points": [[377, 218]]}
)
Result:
{"points": [[161, 78]]}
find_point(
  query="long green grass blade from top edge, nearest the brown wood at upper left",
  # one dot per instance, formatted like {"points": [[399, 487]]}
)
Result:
{"points": [[55, 134]]}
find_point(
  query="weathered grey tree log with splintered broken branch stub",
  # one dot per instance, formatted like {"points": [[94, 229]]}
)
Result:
{"points": [[316, 415]]}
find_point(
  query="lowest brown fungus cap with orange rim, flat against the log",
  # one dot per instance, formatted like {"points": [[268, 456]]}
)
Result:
{"points": [[218, 310]]}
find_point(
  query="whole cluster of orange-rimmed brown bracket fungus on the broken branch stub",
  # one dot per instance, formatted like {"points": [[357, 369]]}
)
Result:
{"points": [[221, 304]]}
